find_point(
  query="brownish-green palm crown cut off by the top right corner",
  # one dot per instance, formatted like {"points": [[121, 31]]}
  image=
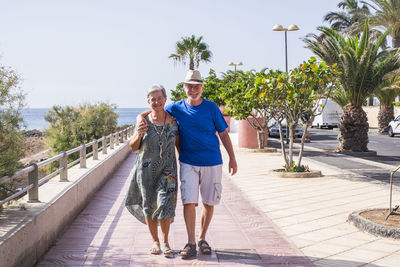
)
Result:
{"points": [[387, 15]]}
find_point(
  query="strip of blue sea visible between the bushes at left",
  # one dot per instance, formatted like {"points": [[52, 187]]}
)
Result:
{"points": [[34, 117]]}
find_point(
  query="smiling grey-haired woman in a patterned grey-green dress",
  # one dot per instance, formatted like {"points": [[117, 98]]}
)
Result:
{"points": [[152, 193]]}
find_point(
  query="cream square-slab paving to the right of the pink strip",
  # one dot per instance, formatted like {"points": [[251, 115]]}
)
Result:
{"points": [[313, 212]]}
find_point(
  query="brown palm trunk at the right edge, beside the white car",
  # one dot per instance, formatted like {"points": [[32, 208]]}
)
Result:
{"points": [[386, 94]]}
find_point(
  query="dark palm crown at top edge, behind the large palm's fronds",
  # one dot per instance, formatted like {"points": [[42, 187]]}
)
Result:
{"points": [[352, 14]]}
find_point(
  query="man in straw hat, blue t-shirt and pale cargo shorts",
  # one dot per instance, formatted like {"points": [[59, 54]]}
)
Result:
{"points": [[200, 158]]}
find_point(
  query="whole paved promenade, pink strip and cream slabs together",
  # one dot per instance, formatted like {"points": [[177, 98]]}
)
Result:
{"points": [[262, 221]]}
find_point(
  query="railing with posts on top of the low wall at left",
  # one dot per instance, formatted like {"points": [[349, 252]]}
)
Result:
{"points": [[34, 183]]}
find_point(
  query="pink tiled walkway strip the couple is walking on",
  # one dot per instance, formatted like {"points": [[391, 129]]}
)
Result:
{"points": [[106, 234]]}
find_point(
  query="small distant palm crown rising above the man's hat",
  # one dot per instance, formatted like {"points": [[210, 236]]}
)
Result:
{"points": [[191, 48]]}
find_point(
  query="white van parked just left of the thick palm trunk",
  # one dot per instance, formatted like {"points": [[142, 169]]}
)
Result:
{"points": [[330, 115]]}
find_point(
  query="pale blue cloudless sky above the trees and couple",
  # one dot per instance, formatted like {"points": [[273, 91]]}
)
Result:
{"points": [[78, 51]]}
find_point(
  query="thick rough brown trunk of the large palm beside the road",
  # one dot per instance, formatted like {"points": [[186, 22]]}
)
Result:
{"points": [[353, 125]]}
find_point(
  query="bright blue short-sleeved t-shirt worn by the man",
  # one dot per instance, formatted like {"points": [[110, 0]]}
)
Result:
{"points": [[197, 130]]}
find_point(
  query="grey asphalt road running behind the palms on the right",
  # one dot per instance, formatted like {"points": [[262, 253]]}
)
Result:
{"points": [[375, 167]]}
